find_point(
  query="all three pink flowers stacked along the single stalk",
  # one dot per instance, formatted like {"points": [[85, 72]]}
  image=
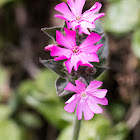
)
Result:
{"points": [[79, 53]]}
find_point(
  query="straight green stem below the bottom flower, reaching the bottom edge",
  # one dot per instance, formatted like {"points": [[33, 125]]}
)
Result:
{"points": [[76, 130]]}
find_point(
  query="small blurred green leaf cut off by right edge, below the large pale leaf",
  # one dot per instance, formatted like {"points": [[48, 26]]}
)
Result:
{"points": [[136, 43]]}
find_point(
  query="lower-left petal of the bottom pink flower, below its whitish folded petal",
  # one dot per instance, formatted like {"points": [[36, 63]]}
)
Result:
{"points": [[70, 107]]}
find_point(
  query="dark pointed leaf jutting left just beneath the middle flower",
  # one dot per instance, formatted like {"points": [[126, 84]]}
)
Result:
{"points": [[56, 66]]}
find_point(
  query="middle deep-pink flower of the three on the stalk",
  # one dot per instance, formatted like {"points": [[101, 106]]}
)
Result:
{"points": [[76, 55]]}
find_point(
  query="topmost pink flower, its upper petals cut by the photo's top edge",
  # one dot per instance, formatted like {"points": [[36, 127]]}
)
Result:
{"points": [[75, 19]]}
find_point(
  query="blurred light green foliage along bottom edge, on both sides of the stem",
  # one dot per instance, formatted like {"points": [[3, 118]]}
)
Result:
{"points": [[98, 128]]}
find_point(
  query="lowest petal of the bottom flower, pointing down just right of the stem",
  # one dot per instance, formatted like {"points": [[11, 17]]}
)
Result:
{"points": [[88, 114]]}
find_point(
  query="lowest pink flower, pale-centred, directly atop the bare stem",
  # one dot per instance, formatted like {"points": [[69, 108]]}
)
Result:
{"points": [[86, 98]]}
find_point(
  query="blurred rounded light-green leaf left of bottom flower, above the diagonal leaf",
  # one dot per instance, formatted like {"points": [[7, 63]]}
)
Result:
{"points": [[43, 87]]}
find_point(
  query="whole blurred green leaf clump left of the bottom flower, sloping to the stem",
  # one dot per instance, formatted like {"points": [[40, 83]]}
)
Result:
{"points": [[41, 95]]}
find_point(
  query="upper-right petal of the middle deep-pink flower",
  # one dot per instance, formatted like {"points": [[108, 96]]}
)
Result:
{"points": [[90, 40]]}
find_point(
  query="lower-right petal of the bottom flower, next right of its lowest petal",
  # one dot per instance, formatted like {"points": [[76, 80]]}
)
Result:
{"points": [[93, 105]]}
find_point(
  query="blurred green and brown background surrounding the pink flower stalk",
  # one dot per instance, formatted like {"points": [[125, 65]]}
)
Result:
{"points": [[29, 106]]}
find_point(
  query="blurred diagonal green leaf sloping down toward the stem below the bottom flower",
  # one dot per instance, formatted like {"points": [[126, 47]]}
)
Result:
{"points": [[52, 110]]}
